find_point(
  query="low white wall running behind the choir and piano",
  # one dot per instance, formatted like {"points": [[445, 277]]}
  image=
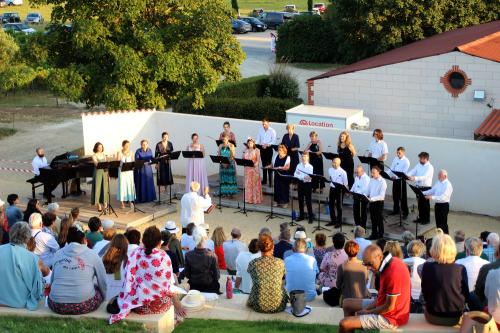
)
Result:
{"points": [[472, 165]]}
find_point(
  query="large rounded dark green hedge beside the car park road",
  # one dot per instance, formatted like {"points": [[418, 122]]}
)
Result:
{"points": [[307, 39]]}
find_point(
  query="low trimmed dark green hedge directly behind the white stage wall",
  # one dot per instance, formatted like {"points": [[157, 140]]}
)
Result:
{"points": [[253, 108]]}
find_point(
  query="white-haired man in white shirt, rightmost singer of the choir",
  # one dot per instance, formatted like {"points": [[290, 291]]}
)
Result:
{"points": [[440, 193]]}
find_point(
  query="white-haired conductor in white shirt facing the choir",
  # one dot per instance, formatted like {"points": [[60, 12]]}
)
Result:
{"points": [[193, 206]]}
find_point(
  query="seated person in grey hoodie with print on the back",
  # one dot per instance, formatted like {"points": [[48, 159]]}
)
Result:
{"points": [[72, 290]]}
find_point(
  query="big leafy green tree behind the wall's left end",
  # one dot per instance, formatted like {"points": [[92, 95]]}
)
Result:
{"points": [[141, 53]]}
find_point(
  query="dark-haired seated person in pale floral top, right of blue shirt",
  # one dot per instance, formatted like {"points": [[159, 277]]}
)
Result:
{"points": [[332, 261]]}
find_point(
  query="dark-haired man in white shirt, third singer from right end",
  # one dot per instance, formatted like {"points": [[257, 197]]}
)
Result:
{"points": [[401, 164]]}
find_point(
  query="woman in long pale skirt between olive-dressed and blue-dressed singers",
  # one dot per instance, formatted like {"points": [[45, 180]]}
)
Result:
{"points": [[126, 186]]}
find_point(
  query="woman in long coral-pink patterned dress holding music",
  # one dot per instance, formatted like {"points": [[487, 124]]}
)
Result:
{"points": [[253, 186]]}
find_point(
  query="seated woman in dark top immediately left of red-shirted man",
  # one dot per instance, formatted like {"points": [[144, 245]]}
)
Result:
{"points": [[352, 276]]}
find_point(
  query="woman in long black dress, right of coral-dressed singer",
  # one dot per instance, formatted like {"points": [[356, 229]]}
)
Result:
{"points": [[281, 184]]}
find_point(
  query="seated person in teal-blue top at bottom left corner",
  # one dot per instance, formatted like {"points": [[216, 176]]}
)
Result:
{"points": [[22, 282]]}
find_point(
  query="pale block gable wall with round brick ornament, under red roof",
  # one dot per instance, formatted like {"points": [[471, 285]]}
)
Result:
{"points": [[409, 98]]}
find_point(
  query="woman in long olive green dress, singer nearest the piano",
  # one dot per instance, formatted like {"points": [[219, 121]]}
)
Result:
{"points": [[100, 180]]}
